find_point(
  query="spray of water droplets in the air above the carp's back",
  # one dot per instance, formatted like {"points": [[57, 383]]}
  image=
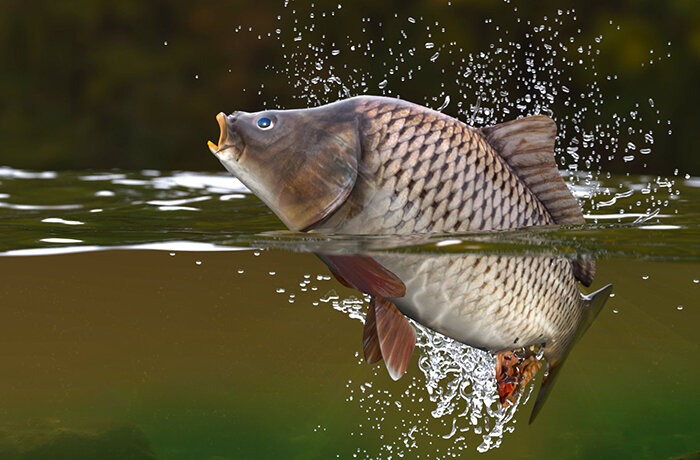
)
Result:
{"points": [[551, 69]]}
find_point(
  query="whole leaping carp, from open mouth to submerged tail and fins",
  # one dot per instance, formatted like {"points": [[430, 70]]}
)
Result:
{"points": [[384, 166]]}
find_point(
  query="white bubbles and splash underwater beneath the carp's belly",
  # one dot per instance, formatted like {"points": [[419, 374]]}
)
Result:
{"points": [[457, 380]]}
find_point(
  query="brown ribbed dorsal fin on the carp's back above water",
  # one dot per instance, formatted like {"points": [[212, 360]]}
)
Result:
{"points": [[527, 145]]}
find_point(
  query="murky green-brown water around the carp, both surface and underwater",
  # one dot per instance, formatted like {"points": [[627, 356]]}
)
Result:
{"points": [[167, 316]]}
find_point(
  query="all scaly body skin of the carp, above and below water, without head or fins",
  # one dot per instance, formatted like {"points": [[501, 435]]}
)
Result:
{"points": [[423, 171]]}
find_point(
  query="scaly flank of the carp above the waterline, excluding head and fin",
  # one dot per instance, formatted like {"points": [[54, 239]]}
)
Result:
{"points": [[423, 171]]}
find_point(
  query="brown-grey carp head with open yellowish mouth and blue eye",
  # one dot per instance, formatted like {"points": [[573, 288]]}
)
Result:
{"points": [[301, 163]]}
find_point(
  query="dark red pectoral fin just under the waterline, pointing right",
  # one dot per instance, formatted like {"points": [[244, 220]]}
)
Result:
{"points": [[364, 274]]}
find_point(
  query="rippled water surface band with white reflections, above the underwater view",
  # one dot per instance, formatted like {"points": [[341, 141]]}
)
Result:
{"points": [[124, 209]]}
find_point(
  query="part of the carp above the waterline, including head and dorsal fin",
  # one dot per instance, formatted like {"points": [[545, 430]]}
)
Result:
{"points": [[375, 165]]}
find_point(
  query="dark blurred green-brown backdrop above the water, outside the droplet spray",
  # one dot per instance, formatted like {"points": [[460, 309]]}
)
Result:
{"points": [[91, 84]]}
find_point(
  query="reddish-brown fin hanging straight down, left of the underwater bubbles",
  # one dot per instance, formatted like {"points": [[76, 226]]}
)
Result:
{"points": [[396, 337]]}
